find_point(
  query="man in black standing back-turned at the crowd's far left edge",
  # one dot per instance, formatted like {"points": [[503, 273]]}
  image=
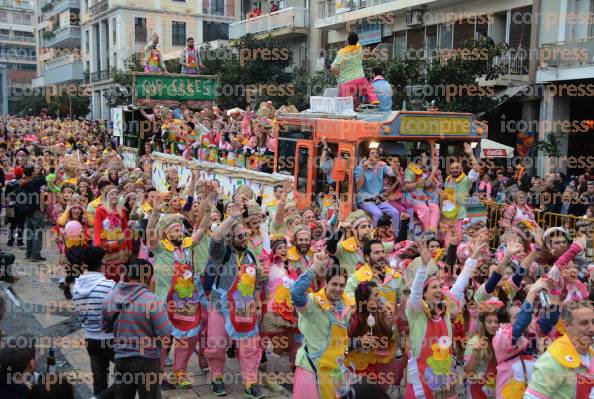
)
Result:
{"points": [[32, 183]]}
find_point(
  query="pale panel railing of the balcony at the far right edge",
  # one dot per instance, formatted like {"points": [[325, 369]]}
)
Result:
{"points": [[567, 54]]}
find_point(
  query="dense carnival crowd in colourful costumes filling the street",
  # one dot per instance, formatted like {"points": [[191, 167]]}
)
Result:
{"points": [[199, 271]]}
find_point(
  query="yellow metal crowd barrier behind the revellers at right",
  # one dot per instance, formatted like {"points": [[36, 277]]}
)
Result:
{"points": [[574, 225]]}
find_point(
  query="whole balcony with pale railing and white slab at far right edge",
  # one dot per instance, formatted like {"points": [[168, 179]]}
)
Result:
{"points": [[569, 60]]}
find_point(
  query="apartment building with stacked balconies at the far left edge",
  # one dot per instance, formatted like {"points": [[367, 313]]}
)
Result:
{"points": [[17, 52]]}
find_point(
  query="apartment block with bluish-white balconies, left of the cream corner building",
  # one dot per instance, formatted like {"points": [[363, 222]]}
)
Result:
{"points": [[58, 43]]}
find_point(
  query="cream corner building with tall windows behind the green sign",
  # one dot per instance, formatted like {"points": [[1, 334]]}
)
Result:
{"points": [[112, 30]]}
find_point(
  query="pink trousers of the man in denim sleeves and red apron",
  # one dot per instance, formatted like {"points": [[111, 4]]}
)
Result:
{"points": [[250, 350]]}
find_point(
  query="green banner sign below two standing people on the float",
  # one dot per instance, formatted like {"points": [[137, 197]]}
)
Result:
{"points": [[173, 87]]}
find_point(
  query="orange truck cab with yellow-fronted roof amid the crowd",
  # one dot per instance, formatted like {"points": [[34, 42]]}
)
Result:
{"points": [[299, 135]]}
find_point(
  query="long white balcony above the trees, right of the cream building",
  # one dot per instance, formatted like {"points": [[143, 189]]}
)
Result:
{"points": [[289, 22]]}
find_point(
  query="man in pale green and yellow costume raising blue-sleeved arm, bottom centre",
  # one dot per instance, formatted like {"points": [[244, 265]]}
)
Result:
{"points": [[323, 321]]}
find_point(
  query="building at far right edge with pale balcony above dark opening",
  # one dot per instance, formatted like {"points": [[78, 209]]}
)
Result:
{"points": [[565, 72]]}
